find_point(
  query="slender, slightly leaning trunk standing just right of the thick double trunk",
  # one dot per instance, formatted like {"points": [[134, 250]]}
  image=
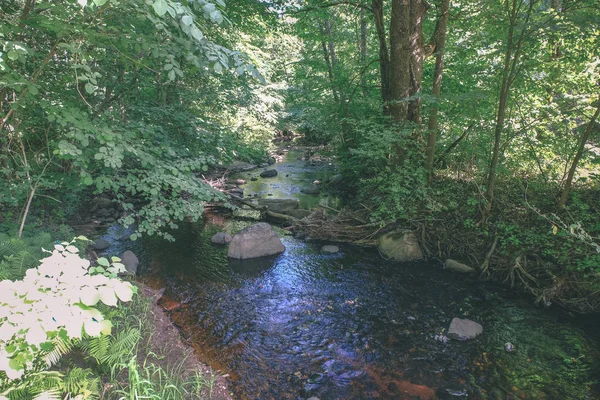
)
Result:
{"points": [[440, 40]]}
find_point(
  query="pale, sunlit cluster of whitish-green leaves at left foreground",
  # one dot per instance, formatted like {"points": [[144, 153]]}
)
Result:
{"points": [[55, 301]]}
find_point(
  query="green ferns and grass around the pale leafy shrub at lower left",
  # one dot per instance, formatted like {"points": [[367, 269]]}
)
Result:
{"points": [[123, 365]]}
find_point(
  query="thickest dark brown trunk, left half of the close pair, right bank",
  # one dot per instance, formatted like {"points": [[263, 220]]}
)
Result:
{"points": [[400, 55]]}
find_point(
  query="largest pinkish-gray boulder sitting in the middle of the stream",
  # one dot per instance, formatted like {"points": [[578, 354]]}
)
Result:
{"points": [[258, 240]]}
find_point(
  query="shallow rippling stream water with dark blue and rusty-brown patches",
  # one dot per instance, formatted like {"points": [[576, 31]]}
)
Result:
{"points": [[352, 325]]}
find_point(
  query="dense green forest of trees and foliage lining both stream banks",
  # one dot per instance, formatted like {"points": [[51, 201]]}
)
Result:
{"points": [[473, 122]]}
